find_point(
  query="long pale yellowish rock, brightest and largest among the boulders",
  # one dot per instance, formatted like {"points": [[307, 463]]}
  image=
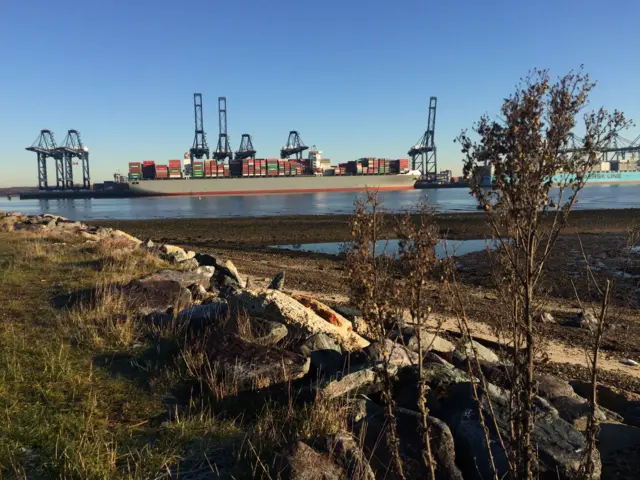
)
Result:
{"points": [[277, 306]]}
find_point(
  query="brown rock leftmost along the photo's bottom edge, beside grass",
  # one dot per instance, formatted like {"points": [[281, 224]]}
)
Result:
{"points": [[304, 463]]}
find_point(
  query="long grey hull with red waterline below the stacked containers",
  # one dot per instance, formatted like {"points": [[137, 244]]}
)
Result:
{"points": [[270, 185]]}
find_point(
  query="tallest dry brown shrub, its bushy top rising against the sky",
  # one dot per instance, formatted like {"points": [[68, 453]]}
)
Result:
{"points": [[526, 148]]}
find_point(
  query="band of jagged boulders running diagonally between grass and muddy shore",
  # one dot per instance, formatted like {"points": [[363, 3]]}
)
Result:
{"points": [[266, 337]]}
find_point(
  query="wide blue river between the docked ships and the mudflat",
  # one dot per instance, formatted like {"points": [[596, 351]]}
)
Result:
{"points": [[445, 201]]}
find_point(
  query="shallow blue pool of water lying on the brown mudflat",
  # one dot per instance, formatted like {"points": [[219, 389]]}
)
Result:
{"points": [[445, 247]]}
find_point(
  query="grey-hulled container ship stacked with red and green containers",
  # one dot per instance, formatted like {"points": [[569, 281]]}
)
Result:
{"points": [[265, 176]]}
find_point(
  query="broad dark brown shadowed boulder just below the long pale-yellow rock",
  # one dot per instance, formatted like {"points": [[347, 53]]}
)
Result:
{"points": [[249, 365]]}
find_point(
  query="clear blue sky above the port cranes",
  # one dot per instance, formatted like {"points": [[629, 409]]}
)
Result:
{"points": [[354, 77]]}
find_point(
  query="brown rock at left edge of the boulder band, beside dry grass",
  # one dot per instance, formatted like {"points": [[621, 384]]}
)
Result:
{"points": [[150, 295]]}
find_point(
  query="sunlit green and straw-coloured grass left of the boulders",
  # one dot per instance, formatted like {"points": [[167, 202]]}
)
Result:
{"points": [[90, 392]]}
